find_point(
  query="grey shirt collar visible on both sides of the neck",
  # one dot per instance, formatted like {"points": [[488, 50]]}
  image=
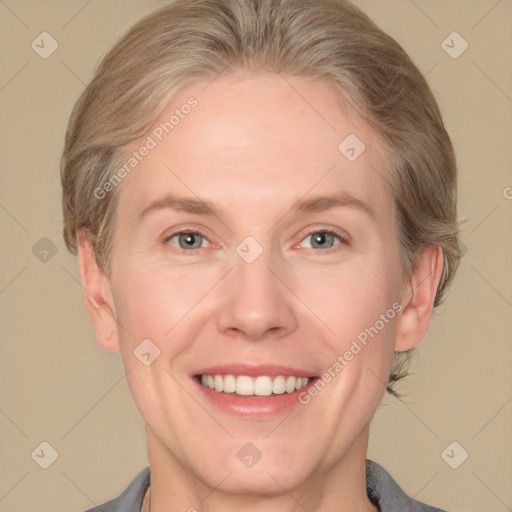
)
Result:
{"points": [[382, 490]]}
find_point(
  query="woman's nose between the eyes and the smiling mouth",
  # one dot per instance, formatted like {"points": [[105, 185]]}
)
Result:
{"points": [[255, 304]]}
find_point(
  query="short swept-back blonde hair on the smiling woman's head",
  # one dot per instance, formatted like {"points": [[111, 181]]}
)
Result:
{"points": [[329, 40]]}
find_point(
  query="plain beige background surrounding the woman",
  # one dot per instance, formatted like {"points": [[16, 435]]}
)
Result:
{"points": [[58, 386]]}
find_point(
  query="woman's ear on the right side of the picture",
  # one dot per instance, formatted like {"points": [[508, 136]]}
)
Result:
{"points": [[418, 298]]}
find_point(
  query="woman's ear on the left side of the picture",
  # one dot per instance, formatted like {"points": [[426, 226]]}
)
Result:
{"points": [[98, 295]]}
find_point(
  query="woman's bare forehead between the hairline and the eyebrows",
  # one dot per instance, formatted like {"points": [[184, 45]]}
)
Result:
{"points": [[250, 139]]}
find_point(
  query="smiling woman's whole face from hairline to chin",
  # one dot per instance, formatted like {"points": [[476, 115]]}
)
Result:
{"points": [[256, 254]]}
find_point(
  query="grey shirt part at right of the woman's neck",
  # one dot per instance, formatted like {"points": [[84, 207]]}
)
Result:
{"points": [[387, 494]]}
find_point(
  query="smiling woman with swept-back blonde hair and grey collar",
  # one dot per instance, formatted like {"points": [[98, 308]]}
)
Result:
{"points": [[262, 196]]}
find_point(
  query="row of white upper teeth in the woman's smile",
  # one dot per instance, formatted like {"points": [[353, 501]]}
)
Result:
{"points": [[259, 386]]}
